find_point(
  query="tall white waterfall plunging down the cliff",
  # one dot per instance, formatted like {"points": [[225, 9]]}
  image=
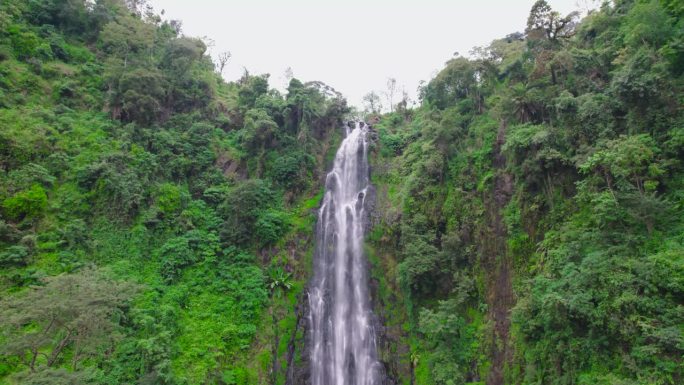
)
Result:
{"points": [[341, 321]]}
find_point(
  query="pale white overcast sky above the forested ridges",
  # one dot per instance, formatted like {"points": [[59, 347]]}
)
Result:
{"points": [[352, 45]]}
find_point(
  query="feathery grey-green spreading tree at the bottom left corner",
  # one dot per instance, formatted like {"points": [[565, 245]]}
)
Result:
{"points": [[78, 312]]}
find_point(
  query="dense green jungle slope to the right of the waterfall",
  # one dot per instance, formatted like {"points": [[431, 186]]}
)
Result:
{"points": [[530, 224]]}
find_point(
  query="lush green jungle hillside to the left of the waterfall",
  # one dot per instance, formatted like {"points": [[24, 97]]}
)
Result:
{"points": [[155, 220]]}
